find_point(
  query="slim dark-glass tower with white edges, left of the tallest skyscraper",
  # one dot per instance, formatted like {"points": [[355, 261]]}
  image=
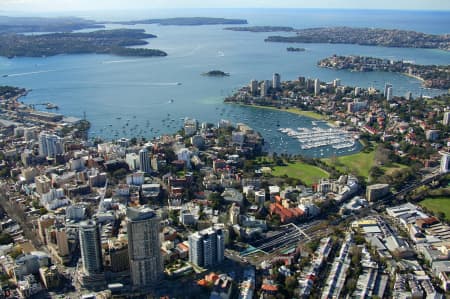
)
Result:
{"points": [[91, 251]]}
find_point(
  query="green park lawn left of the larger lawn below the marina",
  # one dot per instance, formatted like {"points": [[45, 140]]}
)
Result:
{"points": [[308, 174]]}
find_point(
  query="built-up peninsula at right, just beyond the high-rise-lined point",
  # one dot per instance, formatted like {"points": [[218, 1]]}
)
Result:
{"points": [[433, 76]]}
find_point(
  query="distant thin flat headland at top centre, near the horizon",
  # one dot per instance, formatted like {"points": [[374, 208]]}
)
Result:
{"points": [[186, 21]]}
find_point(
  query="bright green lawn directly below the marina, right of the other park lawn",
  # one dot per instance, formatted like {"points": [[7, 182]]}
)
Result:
{"points": [[358, 164]]}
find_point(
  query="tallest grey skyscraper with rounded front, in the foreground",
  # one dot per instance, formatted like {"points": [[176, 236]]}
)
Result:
{"points": [[146, 263]]}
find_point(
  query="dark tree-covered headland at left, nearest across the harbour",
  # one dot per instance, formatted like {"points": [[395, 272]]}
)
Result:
{"points": [[114, 42]]}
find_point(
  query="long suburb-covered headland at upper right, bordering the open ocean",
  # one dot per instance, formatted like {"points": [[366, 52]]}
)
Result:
{"points": [[366, 36]]}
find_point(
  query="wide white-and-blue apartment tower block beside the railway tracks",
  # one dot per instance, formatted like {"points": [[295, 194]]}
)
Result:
{"points": [[207, 247]]}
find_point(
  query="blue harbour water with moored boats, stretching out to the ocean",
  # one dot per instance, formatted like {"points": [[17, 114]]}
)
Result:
{"points": [[146, 97]]}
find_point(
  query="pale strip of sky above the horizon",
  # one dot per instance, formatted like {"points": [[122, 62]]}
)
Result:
{"points": [[86, 5]]}
